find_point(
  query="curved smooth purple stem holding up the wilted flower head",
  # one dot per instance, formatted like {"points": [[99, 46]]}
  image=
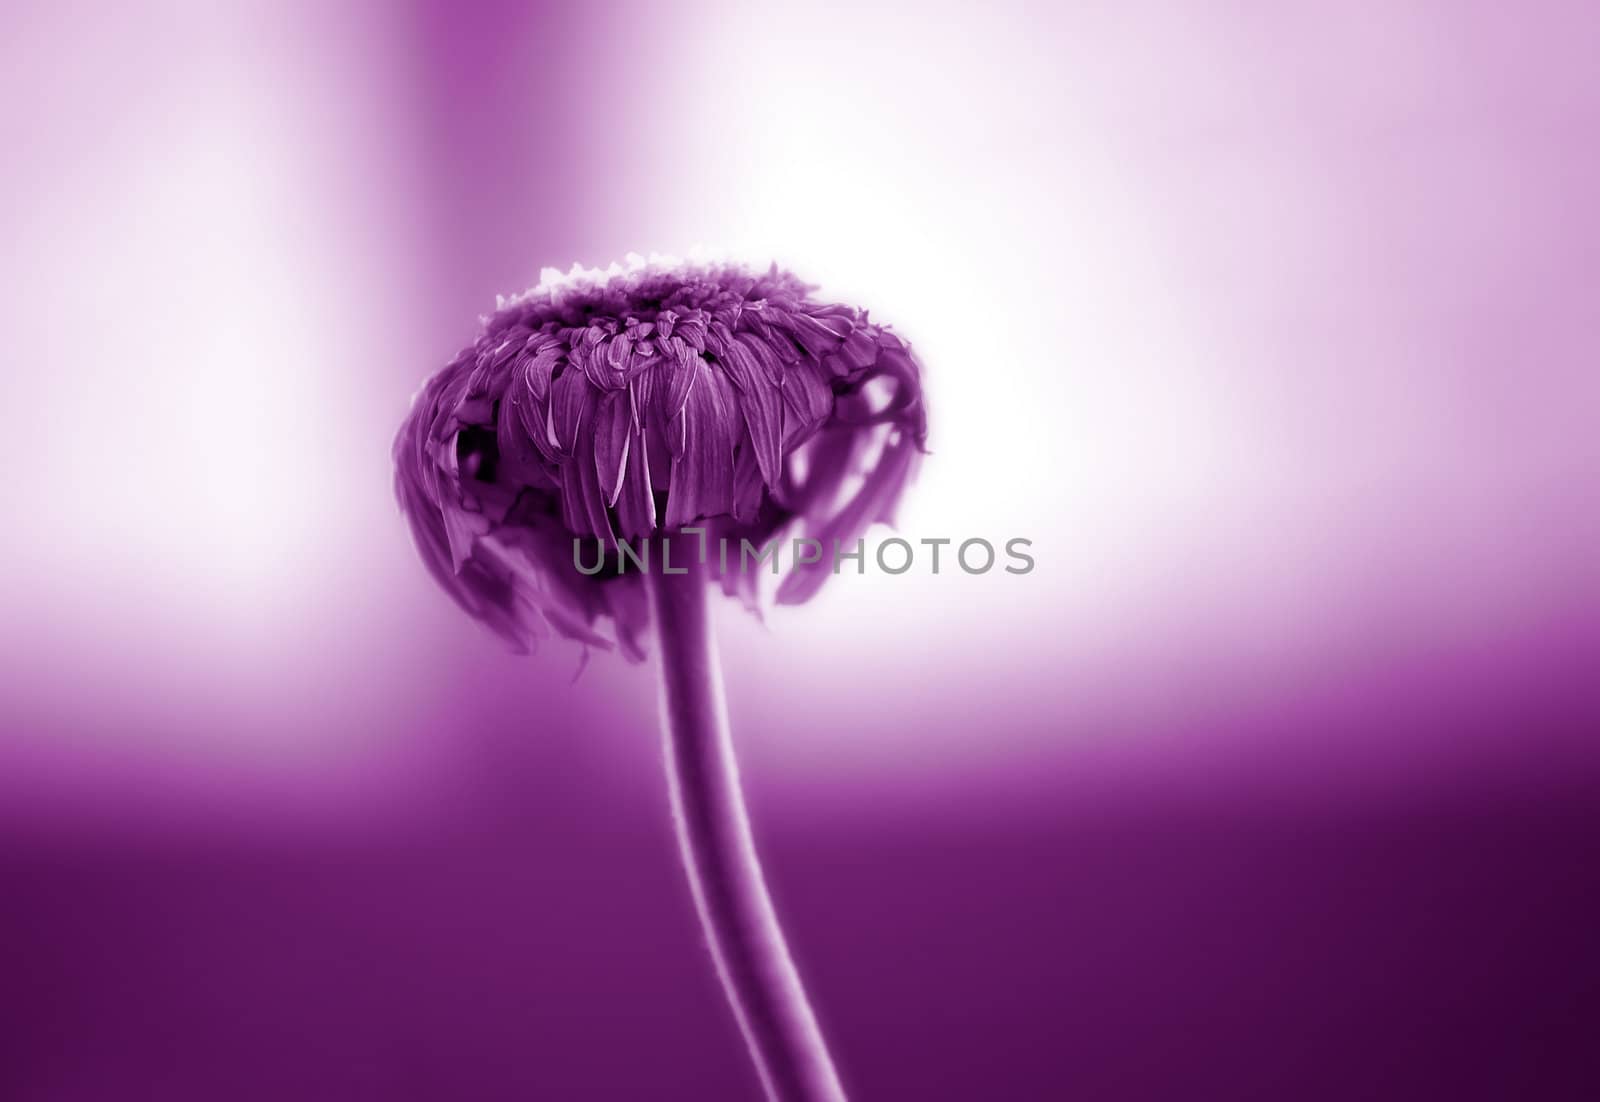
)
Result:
{"points": [[719, 853]]}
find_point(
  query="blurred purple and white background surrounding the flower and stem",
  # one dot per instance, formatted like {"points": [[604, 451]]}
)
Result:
{"points": [[1273, 327]]}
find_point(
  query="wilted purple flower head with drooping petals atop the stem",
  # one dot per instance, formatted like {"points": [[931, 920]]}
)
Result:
{"points": [[620, 404]]}
